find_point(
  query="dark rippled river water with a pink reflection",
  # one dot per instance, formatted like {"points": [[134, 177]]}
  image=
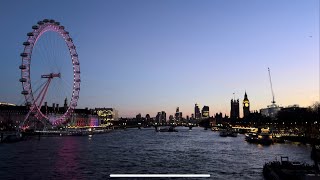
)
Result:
{"points": [[142, 151]]}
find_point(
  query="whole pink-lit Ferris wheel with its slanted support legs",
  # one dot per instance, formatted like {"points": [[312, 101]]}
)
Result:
{"points": [[50, 73]]}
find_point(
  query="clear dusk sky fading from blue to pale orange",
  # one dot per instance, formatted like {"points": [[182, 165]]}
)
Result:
{"points": [[146, 56]]}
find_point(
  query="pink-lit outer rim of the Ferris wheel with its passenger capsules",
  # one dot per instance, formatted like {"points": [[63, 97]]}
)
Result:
{"points": [[37, 32]]}
